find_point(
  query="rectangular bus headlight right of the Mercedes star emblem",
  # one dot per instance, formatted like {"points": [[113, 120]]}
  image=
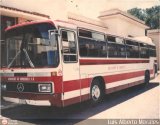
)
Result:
{"points": [[45, 88]]}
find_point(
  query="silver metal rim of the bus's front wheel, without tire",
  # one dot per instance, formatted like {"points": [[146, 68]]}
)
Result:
{"points": [[95, 92]]}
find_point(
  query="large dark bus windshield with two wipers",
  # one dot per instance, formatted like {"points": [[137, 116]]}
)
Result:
{"points": [[30, 46]]}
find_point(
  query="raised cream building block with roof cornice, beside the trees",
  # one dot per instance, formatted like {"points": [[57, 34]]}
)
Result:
{"points": [[121, 23]]}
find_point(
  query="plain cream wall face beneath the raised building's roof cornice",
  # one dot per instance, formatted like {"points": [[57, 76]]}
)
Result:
{"points": [[120, 25]]}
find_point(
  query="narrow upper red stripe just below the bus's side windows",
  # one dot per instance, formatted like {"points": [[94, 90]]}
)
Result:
{"points": [[96, 61]]}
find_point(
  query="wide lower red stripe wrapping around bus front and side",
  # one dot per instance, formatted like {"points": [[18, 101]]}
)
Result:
{"points": [[66, 86]]}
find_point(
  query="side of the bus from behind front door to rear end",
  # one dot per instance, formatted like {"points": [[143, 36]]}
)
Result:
{"points": [[112, 63]]}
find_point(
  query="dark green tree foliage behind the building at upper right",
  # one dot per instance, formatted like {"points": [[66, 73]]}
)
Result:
{"points": [[151, 16]]}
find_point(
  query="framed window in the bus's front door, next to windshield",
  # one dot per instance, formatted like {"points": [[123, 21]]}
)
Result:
{"points": [[69, 46]]}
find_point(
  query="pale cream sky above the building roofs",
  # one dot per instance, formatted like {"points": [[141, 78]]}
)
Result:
{"points": [[89, 8]]}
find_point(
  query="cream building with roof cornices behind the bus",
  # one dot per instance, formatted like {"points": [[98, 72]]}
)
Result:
{"points": [[113, 21]]}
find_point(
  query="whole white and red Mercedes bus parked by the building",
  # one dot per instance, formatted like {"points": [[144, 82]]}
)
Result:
{"points": [[58, 63]]}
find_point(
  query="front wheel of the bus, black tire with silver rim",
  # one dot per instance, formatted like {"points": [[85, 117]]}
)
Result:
{"points": [[96, 92]]}
